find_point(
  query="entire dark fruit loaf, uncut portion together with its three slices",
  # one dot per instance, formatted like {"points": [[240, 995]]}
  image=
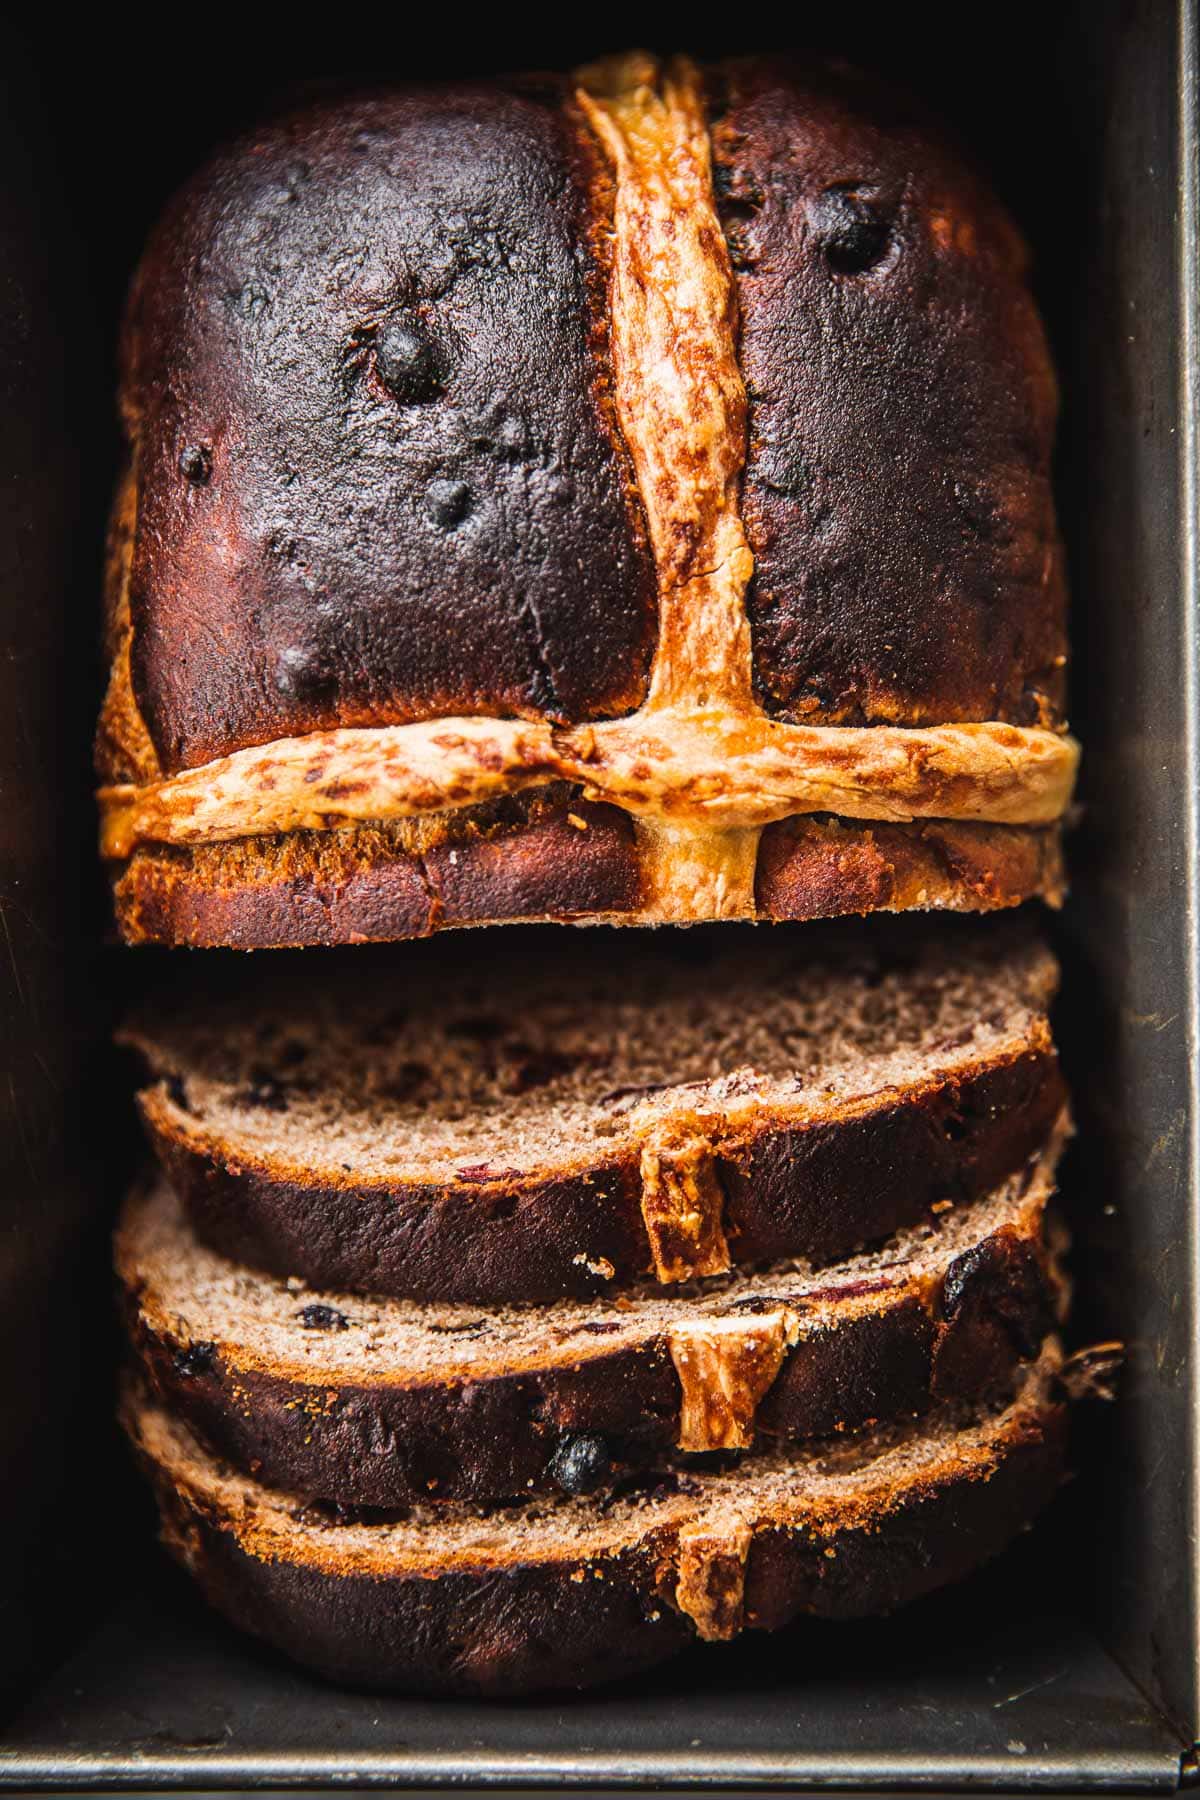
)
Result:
{"points": [[614, 498]]}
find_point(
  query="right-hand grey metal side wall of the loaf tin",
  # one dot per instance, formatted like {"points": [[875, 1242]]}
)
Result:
{"points": [[1129, 1020]]}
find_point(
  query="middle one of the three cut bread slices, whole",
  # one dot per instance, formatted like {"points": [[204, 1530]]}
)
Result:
{"points": [[390, 1403]]}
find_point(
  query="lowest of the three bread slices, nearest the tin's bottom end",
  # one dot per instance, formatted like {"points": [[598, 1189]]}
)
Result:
{"points": [[569, 1592]]}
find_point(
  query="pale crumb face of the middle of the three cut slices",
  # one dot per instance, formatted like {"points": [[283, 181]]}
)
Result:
{"points": [[190, 1295]]}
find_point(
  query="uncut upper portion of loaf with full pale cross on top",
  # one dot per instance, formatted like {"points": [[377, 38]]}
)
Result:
{"points": [[618, 496]]}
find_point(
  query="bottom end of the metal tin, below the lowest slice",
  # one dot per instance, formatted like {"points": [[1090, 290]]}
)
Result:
{"points": [[1005, 1695]]}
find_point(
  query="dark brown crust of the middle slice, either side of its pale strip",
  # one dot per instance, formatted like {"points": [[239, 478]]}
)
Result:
{"points": [[492, 1437]]}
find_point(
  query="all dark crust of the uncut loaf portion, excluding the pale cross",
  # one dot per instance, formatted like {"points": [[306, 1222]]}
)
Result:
{"points": [[291, 566]]}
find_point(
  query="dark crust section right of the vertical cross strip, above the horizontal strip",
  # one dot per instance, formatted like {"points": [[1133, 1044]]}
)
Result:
{"points": [[902, 411]]}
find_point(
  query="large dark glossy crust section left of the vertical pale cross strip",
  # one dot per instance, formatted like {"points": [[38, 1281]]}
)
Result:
{"points": [[319, 548]]}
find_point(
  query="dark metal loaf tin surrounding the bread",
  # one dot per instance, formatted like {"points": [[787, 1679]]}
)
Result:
{"points": [[1075, 1664]]}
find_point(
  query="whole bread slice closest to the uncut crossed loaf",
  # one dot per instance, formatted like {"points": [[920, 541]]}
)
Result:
{"points": [[562, 1119]]}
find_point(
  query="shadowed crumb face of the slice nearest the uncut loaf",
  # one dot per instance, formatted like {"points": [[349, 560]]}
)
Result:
{"points": [[460, 1072]]}
